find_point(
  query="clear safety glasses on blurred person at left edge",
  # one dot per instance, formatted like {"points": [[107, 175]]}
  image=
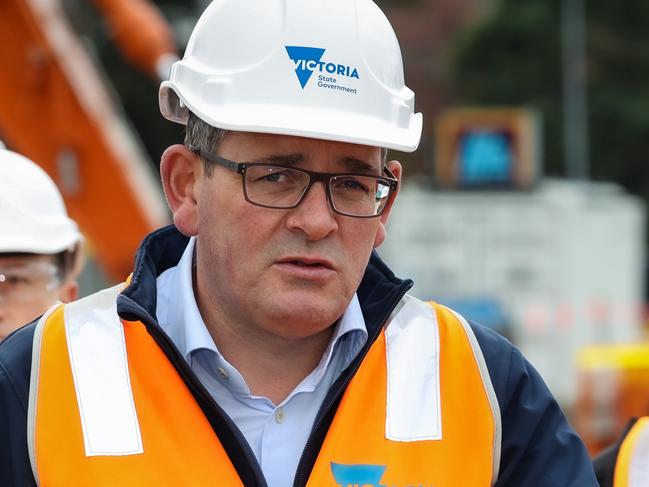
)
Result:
{"points": [[27, 281]]}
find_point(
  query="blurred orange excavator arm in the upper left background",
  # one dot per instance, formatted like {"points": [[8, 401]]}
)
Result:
{"points": [[55, 109]]}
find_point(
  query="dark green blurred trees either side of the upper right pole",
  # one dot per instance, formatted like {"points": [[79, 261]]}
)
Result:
{"points": [[513, 57]]}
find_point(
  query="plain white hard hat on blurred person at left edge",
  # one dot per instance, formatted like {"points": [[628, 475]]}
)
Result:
{"points": [[33, 218]]}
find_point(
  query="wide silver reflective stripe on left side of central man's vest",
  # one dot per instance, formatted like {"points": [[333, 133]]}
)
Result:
{"points": [[97, 352]]}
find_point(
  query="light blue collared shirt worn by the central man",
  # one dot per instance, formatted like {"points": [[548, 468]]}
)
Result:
{"points": [[276, 433]]}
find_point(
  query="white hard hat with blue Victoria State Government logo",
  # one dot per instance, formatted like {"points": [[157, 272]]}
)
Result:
{"points": [[326, 69]]}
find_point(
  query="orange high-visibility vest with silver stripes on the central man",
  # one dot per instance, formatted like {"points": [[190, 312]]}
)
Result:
{"points": [[108, 408]]}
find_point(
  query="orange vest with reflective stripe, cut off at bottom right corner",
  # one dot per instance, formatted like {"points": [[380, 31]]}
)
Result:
{"points": [[632, 465]]}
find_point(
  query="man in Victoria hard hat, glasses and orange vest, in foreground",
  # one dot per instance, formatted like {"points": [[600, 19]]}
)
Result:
{"points": [[260, 341]]}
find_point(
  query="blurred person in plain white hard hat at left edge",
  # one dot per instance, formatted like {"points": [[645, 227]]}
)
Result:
{"points": [[40, 246]]}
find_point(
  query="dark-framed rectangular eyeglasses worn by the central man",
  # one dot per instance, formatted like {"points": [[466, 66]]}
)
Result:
{"points": [[284, 187]]}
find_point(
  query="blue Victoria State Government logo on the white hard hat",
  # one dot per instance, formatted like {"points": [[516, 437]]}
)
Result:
{"points": [[331, 75]]}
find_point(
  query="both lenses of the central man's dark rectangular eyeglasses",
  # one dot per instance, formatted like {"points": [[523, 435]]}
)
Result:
{"points": [[281, 187]]}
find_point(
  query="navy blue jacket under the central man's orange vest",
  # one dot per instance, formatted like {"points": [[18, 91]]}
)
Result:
{"points": [[539, 449]]}
